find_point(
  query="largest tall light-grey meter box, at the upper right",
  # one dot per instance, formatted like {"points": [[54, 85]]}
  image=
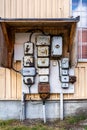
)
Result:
{"points": [[56, 48]]}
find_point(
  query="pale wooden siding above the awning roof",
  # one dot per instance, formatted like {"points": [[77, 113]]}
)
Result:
{"points": [[34, 8]]}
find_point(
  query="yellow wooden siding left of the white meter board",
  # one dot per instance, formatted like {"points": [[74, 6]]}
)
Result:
{"points": [[10, 84]]}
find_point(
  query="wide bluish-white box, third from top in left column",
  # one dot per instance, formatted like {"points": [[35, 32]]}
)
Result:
{"points": [[29, 71]]}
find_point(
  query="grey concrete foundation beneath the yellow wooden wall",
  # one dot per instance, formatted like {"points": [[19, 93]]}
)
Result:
{"points": [[12, 109]]}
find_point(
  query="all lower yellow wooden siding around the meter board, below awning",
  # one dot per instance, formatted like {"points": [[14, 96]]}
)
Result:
{"points": [[11, 85]]}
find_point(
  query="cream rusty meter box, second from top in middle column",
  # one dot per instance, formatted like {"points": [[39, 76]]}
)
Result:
{"points": [[43, 51]]}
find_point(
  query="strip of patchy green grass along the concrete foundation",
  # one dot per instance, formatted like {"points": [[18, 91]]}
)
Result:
{"points": [[50, 125]]}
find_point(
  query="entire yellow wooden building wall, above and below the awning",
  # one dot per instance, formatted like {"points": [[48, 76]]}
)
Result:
{"points": [[10, 81]]}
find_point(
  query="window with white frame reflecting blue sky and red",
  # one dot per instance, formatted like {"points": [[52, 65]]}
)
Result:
{"points": [[79, 7]]}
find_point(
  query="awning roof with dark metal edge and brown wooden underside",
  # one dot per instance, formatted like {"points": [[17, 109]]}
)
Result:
{"points": [[49, 22]]}
